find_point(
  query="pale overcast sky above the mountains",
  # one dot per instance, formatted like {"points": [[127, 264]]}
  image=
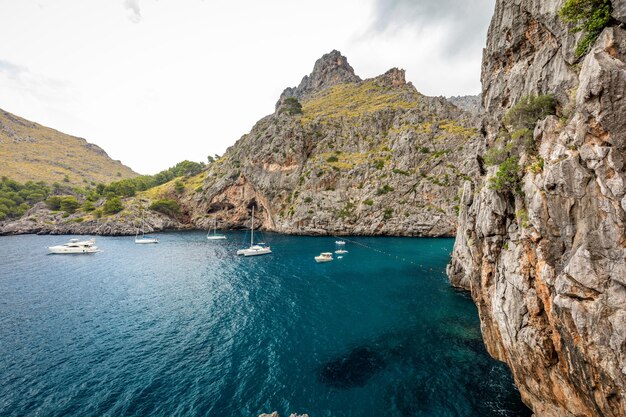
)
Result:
{"points": [[155, 82]]}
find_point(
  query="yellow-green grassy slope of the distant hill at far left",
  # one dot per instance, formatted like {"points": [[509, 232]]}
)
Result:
{"points": [[29, 151]]}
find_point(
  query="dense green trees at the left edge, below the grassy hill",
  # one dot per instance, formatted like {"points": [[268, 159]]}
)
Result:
{"points": [[16, 198]]}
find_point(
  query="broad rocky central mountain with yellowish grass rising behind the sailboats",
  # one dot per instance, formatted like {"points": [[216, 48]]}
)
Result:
{"points": [[370, 157]]}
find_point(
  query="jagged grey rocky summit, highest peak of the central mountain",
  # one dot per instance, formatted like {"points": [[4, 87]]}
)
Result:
{"points": [[331, 69]]}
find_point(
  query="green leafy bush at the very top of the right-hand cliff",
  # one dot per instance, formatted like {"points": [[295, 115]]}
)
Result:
{"points": [[589, 17]]}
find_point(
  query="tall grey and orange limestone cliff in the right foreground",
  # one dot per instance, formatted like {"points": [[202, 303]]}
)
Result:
{"points": [[547, 267]]}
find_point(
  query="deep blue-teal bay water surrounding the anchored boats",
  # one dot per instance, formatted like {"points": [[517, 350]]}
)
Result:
{"points": [[187, 328]]}
